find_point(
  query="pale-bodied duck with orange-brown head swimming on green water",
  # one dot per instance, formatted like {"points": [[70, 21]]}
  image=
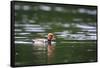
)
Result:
{"points": [[42, 41]]}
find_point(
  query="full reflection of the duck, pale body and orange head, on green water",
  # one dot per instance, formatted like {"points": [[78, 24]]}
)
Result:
{"points": [[43, 54]]}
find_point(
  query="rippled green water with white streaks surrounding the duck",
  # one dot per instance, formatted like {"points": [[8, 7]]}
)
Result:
{"points": [[74, 28]]}
